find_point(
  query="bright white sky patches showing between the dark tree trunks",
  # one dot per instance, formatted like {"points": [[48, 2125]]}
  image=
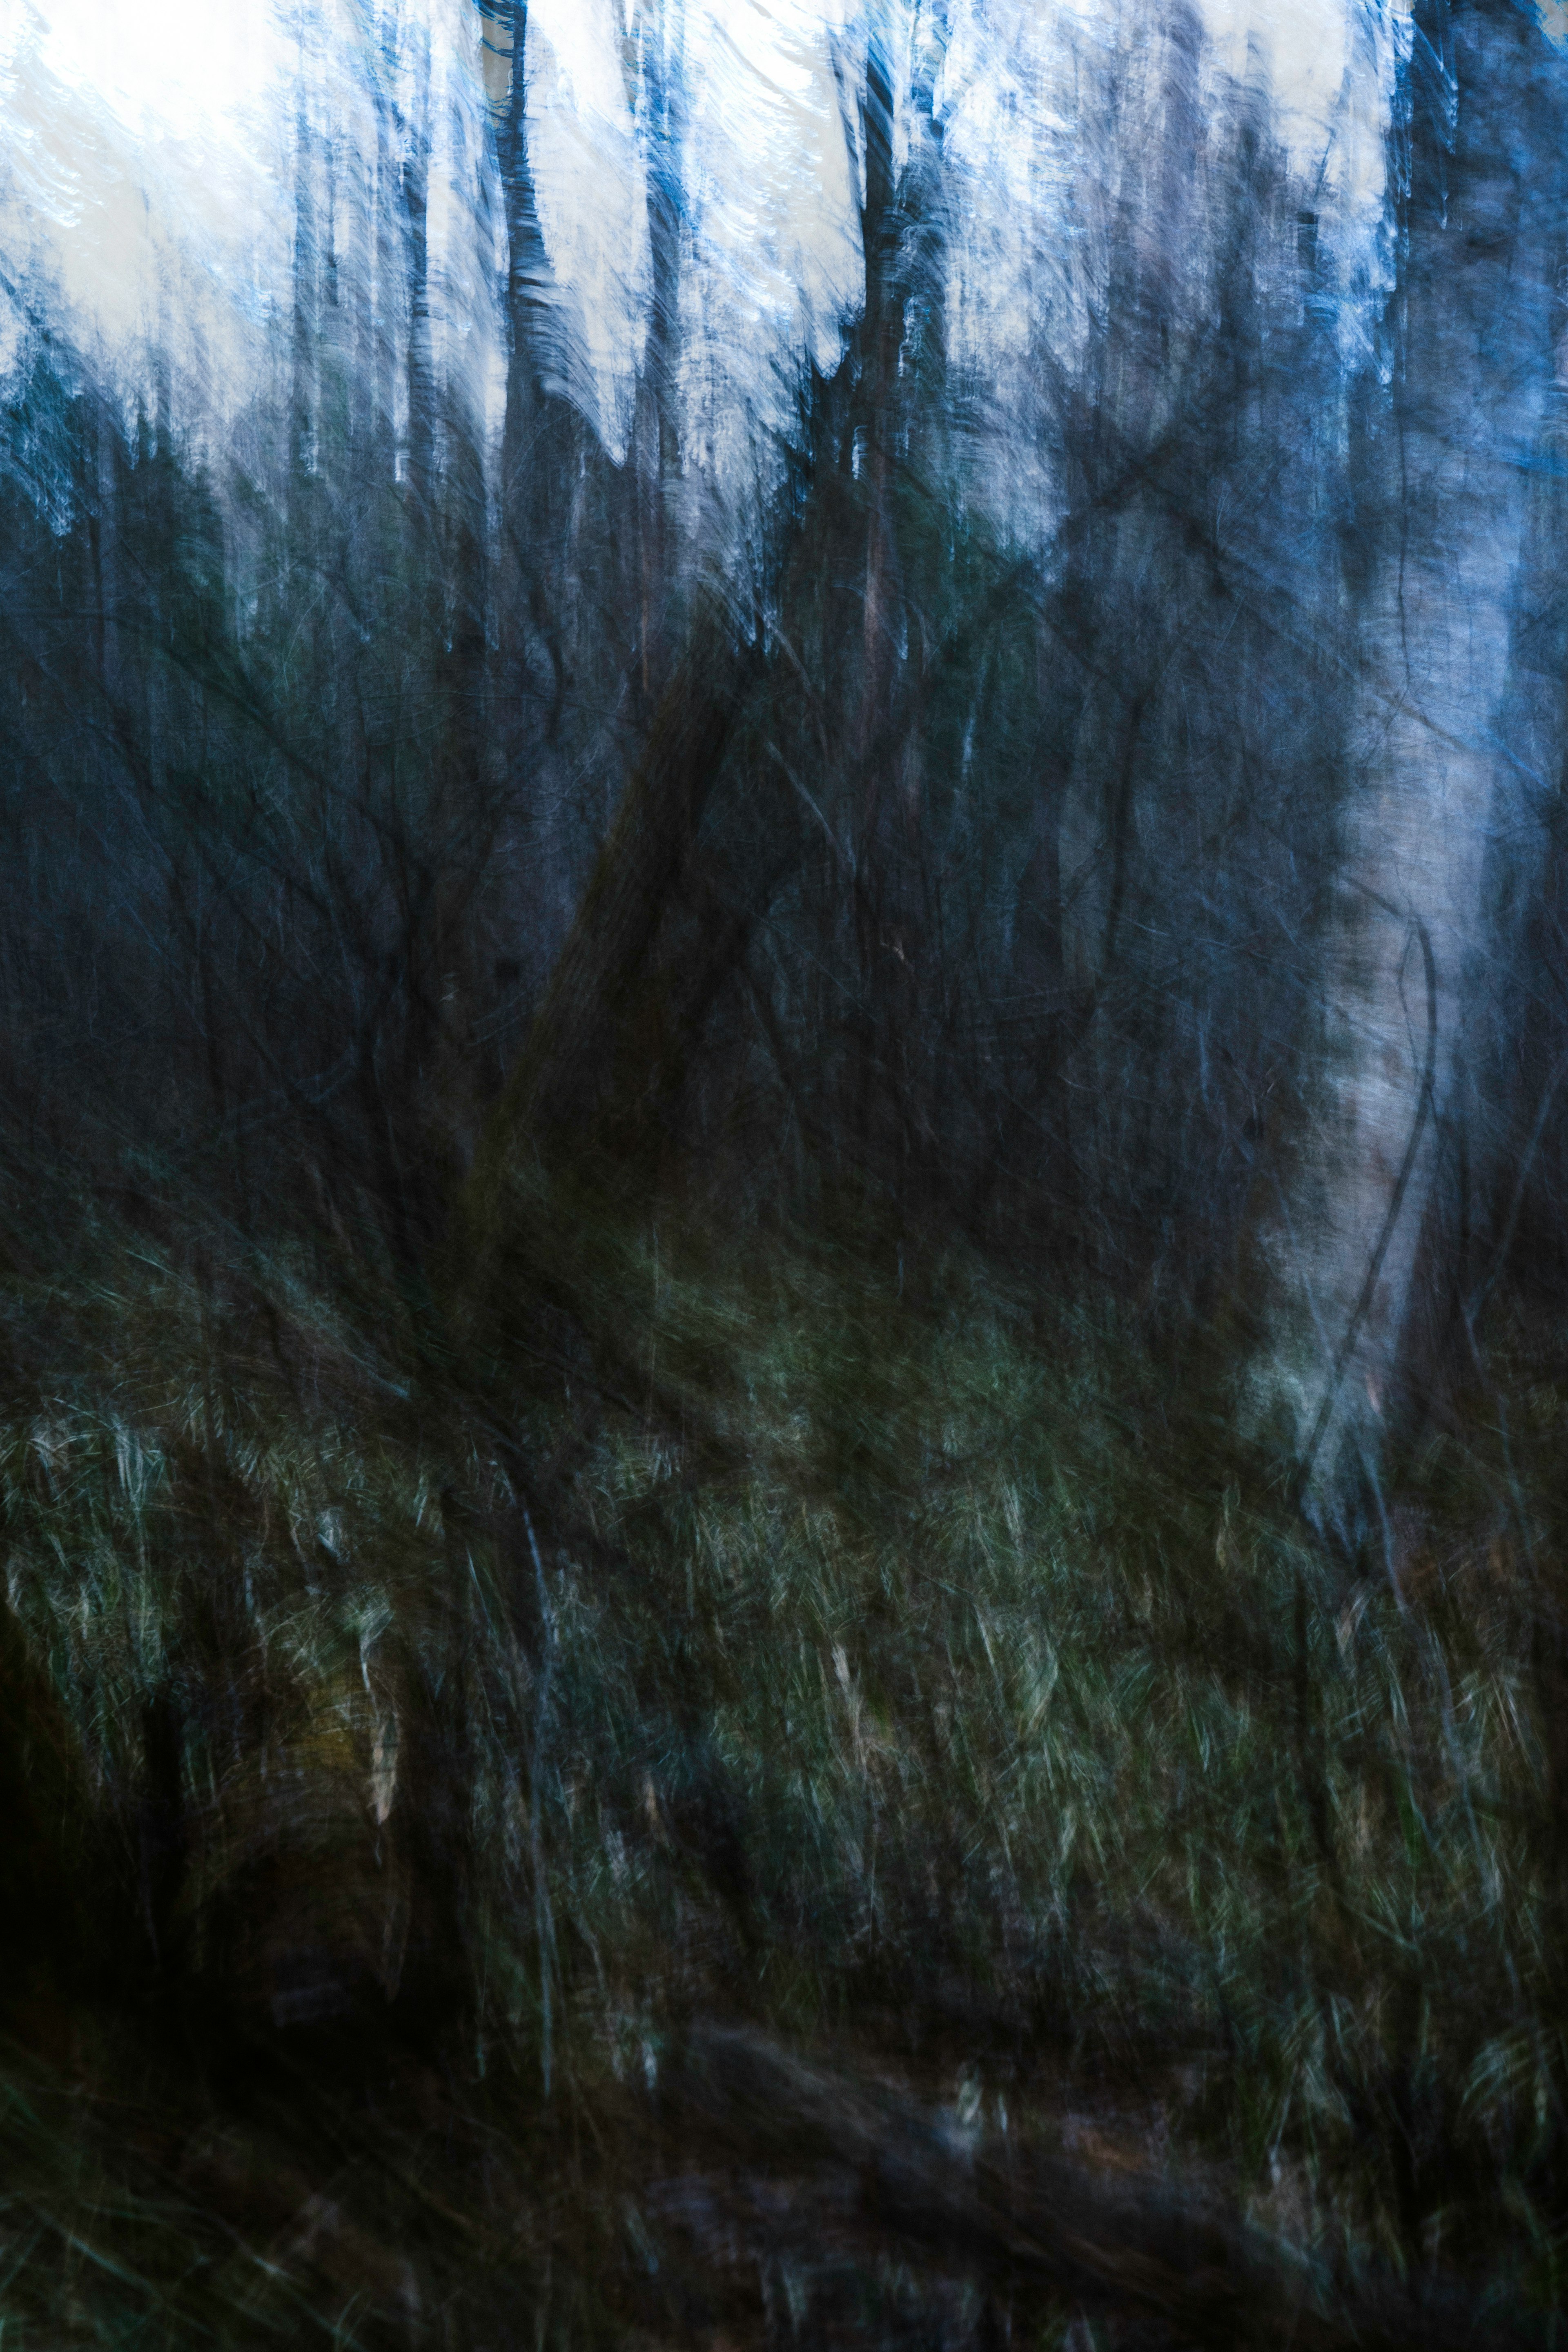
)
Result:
{"points": [[147, 166]]}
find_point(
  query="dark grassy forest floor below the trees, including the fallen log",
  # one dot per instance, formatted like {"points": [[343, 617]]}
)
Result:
{"points": [[815, 1798]]}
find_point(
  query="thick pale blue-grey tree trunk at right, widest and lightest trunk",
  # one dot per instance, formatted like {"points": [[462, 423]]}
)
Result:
{"points": [[1353, 1231]]}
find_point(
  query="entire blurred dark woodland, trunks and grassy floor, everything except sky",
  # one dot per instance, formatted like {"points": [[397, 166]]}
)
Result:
{"points": [[699, 1645]]}
